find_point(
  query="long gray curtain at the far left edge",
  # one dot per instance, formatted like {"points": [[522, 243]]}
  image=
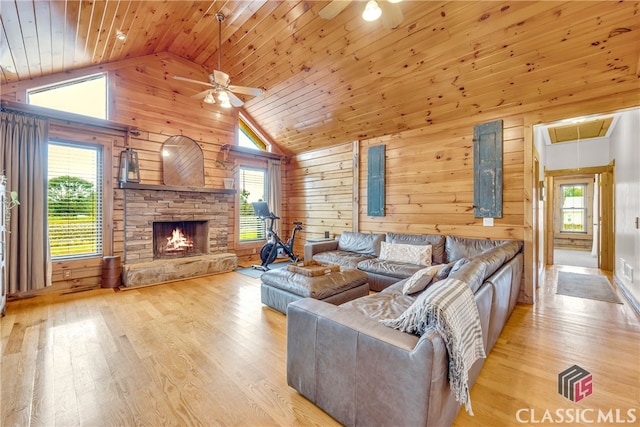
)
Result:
{"points": [[23, 159]]}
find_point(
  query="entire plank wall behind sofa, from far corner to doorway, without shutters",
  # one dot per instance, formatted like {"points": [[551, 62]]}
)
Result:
{"points": [[429, 186]]}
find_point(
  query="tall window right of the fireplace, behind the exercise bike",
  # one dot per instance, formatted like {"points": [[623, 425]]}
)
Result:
{"points": [[252, 189]]}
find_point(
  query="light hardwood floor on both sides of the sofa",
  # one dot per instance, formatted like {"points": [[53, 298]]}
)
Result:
{"points": [[206, 352]]}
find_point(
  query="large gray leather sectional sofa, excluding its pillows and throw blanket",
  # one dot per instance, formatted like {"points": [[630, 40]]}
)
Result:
{"points": [[362, 372]]}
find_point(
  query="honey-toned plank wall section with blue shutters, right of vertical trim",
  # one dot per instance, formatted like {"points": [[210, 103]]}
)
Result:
{"points": [[429, 183]]}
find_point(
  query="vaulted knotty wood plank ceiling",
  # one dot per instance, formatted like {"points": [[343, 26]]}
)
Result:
{"points": [[332, 81]]}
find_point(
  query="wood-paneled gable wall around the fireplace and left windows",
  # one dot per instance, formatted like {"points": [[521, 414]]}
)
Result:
{"points": [[144, 96]]}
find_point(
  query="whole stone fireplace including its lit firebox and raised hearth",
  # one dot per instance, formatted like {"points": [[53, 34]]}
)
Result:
{"points": [[174, 233]]}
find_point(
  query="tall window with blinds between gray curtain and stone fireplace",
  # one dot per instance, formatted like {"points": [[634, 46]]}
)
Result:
{"points": [[74, 200]]}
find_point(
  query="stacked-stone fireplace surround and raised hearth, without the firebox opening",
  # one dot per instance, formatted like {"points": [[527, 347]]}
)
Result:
{"points": [[145, 204]]}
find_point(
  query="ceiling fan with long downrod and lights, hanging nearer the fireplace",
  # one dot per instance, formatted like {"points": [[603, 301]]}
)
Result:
{"points": [[221, 82]]}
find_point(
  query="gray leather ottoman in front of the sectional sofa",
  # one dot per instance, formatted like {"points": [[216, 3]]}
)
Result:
{"points": [[280, 287]]}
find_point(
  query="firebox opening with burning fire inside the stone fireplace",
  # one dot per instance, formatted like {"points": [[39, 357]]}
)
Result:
{"points": [[174, 239]]}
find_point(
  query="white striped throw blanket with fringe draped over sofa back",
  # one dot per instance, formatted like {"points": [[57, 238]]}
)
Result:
{"points": [[448, 307]]}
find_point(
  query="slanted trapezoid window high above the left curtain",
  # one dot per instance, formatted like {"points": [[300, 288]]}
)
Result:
{"points": [[86, 96]]}
